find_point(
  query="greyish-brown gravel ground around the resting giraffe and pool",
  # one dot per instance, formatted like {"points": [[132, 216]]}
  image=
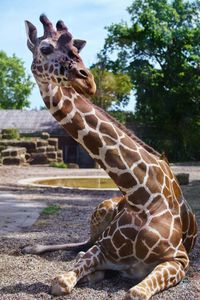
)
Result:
{"points": [[28, 277]]}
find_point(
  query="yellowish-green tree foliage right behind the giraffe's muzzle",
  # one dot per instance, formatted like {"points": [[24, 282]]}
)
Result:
{"points": [[113, 89]]}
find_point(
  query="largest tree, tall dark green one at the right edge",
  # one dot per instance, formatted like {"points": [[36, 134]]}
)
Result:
{"points": [[160, 49]]}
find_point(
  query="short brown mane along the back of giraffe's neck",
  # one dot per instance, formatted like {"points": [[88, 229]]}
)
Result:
{"points": [[129, 133]]}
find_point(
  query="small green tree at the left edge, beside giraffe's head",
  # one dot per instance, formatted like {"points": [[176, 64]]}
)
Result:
{"points": [[15, 85]]}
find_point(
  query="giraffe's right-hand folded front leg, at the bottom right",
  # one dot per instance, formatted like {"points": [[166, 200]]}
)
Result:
{"points": [[164, 275]]}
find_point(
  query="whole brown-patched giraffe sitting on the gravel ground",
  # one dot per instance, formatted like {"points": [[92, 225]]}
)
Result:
{"points": [[147, 233]]}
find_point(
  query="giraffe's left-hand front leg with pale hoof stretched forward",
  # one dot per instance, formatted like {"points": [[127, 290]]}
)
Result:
{"points": [[87, 264]]}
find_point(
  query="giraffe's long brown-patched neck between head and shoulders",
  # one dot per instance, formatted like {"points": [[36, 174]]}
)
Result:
{"points": [[109, 145]]}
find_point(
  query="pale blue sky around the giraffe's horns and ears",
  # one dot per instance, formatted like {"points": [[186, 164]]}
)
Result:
{"points": [[86, 19]]}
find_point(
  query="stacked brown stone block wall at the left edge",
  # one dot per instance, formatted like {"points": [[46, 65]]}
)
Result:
{"points": [[34, 151]]}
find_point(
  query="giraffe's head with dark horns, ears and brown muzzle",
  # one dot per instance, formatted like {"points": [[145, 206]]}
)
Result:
{"points": [[56, 57]]}
